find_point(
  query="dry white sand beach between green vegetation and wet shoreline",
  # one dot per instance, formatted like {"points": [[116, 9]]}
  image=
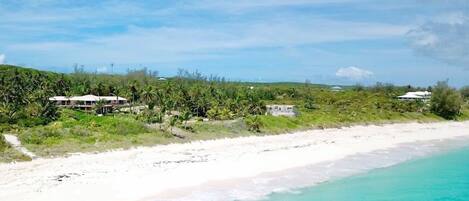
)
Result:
{"points": [[173, 172]]}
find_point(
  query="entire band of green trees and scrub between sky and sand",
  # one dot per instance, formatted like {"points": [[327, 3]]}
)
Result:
{"points": [[173, 110]]}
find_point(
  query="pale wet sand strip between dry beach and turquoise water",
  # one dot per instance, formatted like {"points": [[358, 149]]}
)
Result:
{"points": [[294, 180]]}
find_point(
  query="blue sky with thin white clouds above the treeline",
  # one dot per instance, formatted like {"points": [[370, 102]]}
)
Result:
{"points": [[402, 42]]}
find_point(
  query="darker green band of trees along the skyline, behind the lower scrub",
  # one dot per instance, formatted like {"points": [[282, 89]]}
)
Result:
{"points": [[24, 94]]}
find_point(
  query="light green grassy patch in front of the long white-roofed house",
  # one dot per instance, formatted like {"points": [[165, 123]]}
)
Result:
{"points": [[78, 131]]}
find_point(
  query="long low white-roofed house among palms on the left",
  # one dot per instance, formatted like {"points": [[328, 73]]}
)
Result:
{"points": [[88, 102]]}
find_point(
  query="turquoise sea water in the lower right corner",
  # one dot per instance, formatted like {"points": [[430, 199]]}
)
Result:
{"points": [[443, 177]]}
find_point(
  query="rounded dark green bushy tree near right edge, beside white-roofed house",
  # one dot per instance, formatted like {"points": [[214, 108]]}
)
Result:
{"points": [[446, 101]]}
